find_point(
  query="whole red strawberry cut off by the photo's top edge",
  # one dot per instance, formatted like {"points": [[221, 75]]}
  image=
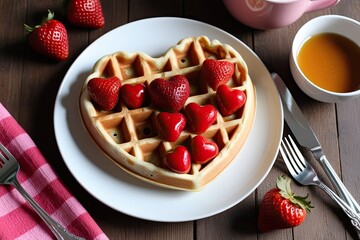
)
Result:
{"points": [[85, 13]]}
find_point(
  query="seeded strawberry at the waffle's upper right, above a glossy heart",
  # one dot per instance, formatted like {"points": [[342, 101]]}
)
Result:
{"points": [[216, 72]]}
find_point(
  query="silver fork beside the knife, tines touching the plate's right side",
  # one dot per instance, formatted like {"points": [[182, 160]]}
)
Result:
{"points": [[305, 174]]}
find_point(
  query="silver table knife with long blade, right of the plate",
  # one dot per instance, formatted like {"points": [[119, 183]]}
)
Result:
{"points": [[306, 138]]}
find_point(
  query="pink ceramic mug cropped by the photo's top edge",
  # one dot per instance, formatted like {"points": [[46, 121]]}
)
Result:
{"points": [[269, 14]]}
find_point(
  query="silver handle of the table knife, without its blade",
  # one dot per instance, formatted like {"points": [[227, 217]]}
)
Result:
{"points": [[336, 181]]}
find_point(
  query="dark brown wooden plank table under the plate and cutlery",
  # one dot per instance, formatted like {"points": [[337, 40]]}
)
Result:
{"points": [[29, 84]]}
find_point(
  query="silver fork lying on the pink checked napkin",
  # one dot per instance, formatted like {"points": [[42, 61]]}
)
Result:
{"points": [[9, 167]]}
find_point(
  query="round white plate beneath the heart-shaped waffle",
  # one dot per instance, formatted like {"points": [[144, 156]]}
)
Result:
{"points": [[124, 193]]}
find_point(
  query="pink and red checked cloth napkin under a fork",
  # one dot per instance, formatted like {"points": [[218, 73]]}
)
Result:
{"points": [[17, 219]]}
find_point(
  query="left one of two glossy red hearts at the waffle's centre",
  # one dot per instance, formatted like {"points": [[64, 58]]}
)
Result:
{"points": [[170, 125]]}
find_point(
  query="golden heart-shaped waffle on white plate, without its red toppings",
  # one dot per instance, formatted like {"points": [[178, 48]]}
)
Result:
{"points": [[127, 136]]}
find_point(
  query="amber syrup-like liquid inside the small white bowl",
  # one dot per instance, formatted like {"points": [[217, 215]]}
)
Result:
{"points": [[331, 61]]}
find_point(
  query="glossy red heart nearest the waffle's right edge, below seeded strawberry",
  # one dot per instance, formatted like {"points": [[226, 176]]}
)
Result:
{"points": [[229, 101]]}
